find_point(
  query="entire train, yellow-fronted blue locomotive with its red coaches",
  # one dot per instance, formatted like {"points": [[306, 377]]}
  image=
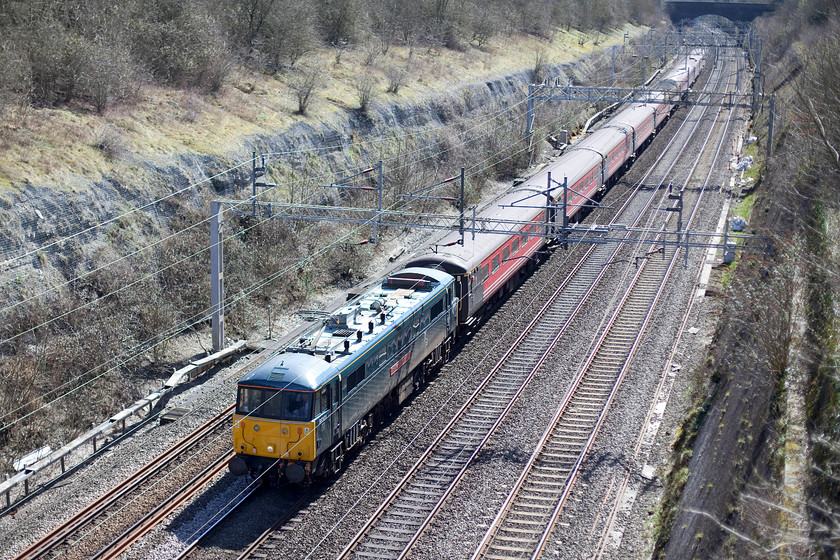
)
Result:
{"points": [[299, 413]]}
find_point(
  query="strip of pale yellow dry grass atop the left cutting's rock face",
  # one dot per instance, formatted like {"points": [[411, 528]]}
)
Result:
{"points": [[56, 146]]}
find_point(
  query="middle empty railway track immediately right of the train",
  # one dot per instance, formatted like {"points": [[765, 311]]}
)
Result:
{"points": [[398, 523]]}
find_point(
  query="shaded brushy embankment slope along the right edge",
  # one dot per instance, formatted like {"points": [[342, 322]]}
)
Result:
{"points": [[747, 510]]}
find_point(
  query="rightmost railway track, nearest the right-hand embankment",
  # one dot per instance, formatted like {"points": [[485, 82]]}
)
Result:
{"points": [[526, 520]]}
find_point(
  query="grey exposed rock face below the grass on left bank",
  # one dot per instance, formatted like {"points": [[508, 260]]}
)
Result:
{"points": [[61, 222]]}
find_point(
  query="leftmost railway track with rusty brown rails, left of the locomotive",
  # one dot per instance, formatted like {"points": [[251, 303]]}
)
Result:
{"points": [[124, 510]]}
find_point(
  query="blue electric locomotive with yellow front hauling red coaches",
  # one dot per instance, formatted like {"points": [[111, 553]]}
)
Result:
{"points": [[300, 412]]}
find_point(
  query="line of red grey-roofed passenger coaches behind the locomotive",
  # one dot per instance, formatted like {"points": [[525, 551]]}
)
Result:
{"points": [[487, 266]]}
